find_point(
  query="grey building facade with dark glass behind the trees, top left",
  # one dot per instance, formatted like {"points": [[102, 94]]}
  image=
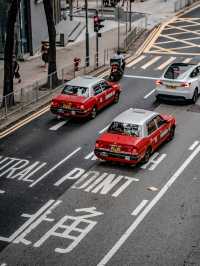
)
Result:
{"points": [[31, 26]]}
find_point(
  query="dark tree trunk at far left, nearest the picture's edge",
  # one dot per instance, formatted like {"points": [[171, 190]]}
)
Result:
{"points": [[8, 52]]}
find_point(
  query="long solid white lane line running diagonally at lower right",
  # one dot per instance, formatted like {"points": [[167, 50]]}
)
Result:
{"points": [[148, 208]]}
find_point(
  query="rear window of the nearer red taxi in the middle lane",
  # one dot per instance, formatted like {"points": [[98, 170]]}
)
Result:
{"points": [[124, 129]]}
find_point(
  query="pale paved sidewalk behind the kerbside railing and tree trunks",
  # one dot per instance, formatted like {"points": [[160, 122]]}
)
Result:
{"points": [[156, 11]]}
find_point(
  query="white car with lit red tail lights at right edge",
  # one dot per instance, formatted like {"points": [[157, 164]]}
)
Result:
{"points": [[179, 81]]}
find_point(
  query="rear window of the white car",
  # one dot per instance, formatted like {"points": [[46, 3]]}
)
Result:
{"points": [[176, 70]]}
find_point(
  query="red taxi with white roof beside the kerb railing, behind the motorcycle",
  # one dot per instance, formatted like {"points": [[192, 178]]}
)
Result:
{"points": [[85, 96]]}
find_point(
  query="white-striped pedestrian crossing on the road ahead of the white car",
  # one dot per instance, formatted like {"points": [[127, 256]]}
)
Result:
{"points": [[156, 62]]}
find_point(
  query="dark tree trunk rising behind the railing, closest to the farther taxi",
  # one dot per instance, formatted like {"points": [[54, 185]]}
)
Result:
{"points": [[52, 70]]}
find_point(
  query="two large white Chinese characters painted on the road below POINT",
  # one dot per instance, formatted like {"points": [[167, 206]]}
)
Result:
{"points": [[72, 228]]}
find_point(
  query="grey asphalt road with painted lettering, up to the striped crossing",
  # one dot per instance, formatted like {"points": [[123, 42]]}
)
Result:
{"points": [[61, 206]]}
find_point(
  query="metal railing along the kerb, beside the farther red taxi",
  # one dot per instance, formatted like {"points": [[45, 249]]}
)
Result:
{"points": [[43, 88]]}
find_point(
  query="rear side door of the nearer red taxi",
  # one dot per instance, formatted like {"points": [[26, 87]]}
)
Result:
{"points": [[153, 133]]}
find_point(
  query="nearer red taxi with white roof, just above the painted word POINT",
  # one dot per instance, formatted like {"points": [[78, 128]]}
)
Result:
{"points": [[134, 135]]}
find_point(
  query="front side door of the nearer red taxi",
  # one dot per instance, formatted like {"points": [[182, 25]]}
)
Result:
{"points": [[163, 128]]}
